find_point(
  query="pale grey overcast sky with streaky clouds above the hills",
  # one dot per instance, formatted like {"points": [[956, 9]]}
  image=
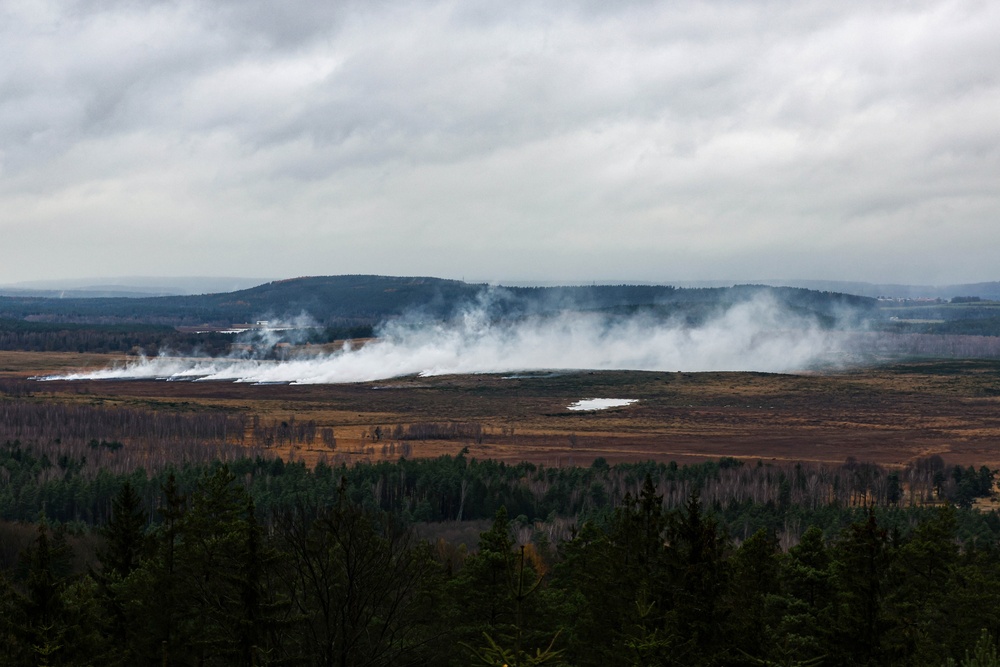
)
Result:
{"points": [[570, 141]]}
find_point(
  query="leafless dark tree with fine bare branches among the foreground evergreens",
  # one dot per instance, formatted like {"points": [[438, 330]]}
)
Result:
{"points": [[357, 583]]}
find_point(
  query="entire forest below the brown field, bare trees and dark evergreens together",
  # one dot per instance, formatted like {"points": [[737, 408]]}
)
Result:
{"points": [[133, 537]]}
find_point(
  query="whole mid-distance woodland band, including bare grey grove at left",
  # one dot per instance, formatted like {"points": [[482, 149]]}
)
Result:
{"points": [[52, 452]]}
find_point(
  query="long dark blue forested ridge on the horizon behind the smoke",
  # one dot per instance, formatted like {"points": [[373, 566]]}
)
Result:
{"points": [[367, 300]]}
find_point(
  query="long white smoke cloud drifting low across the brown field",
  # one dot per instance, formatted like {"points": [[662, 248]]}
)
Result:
{"points": [[755, 335]]}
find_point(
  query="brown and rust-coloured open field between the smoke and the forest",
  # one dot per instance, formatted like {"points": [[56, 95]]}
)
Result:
{"points": [[888, 415]]}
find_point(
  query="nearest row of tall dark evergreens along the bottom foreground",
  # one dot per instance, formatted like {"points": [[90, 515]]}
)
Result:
{"points": [[202, 581]]}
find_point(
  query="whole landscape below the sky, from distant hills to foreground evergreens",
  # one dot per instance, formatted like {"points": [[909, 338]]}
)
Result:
{"points": [[835, 417]]}
